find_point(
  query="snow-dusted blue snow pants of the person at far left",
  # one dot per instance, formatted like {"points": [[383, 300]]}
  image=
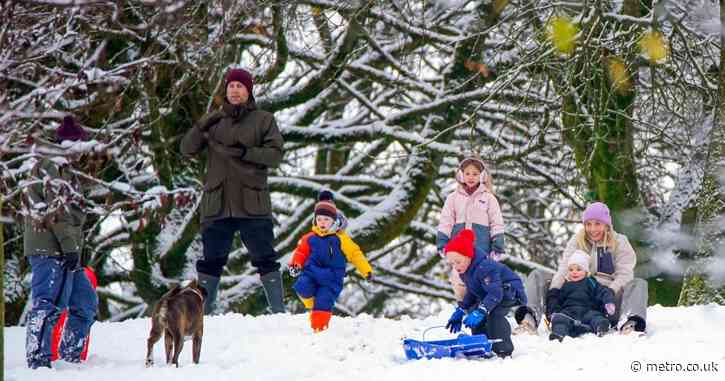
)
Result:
{"points": [[54, 289]]}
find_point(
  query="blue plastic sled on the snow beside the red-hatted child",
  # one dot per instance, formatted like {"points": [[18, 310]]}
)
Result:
{"points": [[467, 346]]}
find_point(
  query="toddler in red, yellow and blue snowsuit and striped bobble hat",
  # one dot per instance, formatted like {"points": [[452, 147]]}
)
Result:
{"points": [[320, 260]]}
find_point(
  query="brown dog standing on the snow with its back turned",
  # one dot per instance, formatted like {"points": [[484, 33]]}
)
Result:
{"points": [[178, 315]]}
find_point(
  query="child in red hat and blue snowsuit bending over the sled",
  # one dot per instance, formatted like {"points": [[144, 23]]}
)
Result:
{"points": [[491, 290]]}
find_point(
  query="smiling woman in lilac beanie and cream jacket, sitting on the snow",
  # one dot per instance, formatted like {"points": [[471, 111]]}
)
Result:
{"points": [[612, 264]]}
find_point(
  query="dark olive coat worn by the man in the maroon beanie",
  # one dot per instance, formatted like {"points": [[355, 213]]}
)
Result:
{"points": [[236, 185]]}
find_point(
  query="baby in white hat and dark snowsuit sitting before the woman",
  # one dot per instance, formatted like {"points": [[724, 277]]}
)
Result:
{"points": [[579, 306]]}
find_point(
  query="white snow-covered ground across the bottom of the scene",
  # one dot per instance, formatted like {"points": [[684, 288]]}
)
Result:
{"points": [[282, 347]]}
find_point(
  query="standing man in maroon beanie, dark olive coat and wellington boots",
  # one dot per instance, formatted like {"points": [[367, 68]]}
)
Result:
{"points": [[243, 142]]}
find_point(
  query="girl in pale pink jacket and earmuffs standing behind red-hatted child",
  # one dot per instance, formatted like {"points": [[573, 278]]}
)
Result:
{"points": [[472, 206]]}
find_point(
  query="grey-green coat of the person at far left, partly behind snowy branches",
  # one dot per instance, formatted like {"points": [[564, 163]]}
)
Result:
{"points": [[61, 232]]}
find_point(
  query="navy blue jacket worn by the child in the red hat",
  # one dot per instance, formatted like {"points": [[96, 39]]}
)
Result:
{"points": [[489, 283]]}
